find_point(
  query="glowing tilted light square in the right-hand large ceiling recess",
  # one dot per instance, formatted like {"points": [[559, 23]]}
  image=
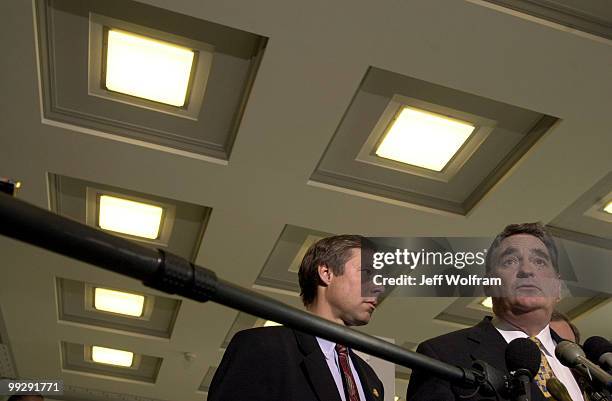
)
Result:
{"points": [[424, 139]]}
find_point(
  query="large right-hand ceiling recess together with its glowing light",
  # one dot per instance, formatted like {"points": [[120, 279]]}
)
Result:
{"points": [[410, 143]]}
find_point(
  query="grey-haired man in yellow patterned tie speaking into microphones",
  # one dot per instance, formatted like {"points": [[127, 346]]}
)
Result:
{"points": [[525, 258]]}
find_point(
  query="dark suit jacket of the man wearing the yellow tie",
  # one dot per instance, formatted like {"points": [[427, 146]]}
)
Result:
{"points": [[461, 348]]}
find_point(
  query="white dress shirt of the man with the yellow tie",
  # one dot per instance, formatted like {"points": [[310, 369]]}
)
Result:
{"points": [[563, 373]]}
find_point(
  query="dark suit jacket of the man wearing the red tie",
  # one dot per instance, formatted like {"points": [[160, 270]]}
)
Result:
{"points": [[278, 363]]}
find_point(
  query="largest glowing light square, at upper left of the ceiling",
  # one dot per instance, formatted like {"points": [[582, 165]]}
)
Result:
{"points": [[148, 68]]}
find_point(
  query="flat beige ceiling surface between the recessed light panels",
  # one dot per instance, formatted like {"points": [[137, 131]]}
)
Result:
{"points": [[316, 55]]}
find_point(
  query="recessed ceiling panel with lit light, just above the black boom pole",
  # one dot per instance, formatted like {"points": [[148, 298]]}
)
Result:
{"points": [[151, 220]]}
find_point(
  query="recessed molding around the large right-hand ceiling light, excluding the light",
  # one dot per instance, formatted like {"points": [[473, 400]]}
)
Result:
{"points": [[504, 135]]}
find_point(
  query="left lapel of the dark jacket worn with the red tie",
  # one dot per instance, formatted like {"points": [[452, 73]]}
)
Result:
{"points": [[316, 369]]}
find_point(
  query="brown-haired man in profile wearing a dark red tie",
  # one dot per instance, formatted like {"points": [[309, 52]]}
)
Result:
{"points": [[279, 363]]}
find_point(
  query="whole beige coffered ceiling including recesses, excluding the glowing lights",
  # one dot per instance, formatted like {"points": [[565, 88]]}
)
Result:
{"points": [[271, 157]]}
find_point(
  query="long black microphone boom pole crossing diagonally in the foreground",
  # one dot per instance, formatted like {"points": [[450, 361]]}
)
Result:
{"points": [[172, 274]]}
